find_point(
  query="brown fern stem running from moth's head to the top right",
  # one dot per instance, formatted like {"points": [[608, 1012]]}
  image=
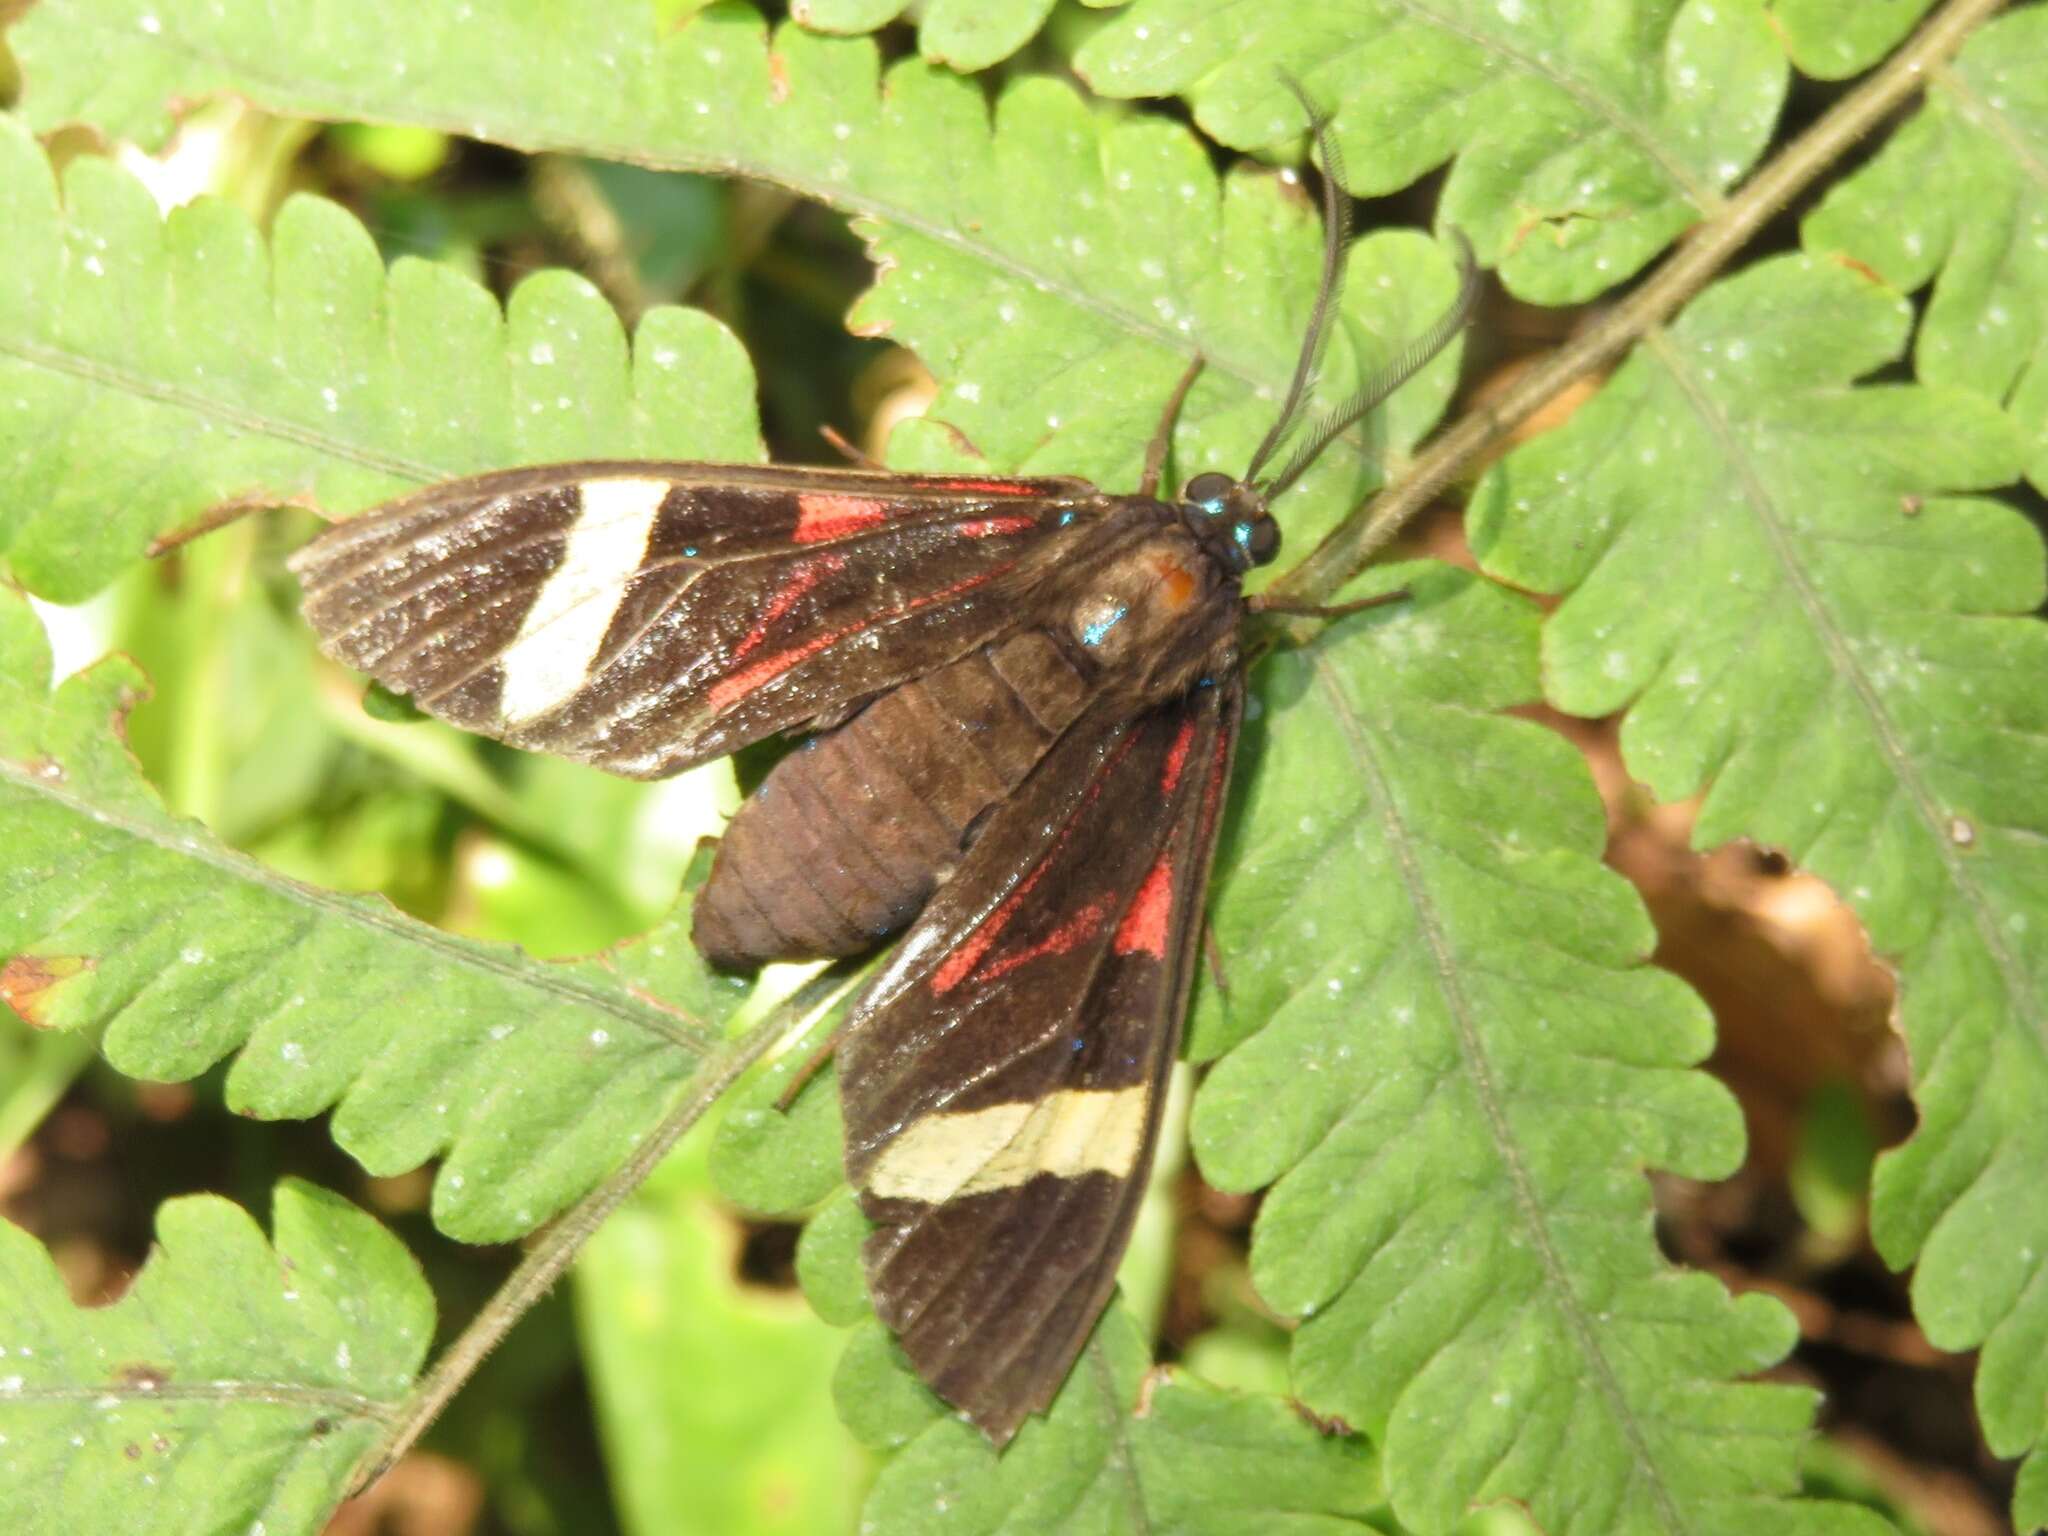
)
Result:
{"points": [[1707, 249]]}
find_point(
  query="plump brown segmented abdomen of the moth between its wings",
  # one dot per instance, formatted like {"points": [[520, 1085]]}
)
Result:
{"points": [[847, 839]]}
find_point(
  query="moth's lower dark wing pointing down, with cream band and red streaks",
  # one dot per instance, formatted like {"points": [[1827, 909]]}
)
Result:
{"points": [[1002, 1076]]}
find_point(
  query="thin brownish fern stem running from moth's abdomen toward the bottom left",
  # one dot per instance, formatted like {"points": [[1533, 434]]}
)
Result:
{"points": [[556, 1248]]}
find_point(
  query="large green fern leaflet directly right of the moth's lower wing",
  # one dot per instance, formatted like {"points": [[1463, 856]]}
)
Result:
{"points": [[1459, 1091]]}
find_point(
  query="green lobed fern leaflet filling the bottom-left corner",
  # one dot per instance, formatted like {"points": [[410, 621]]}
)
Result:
{"points": [[232, 1390]]}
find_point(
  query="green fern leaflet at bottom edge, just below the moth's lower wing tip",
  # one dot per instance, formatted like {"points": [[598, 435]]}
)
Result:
{"points": [[1132, 1453]]}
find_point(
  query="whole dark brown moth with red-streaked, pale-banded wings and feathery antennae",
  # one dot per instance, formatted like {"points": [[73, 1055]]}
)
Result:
{"points": [[1021, 701]]}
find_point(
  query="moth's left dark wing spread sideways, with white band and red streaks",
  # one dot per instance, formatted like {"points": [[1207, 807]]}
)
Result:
{"points": [[652, 615]]}
